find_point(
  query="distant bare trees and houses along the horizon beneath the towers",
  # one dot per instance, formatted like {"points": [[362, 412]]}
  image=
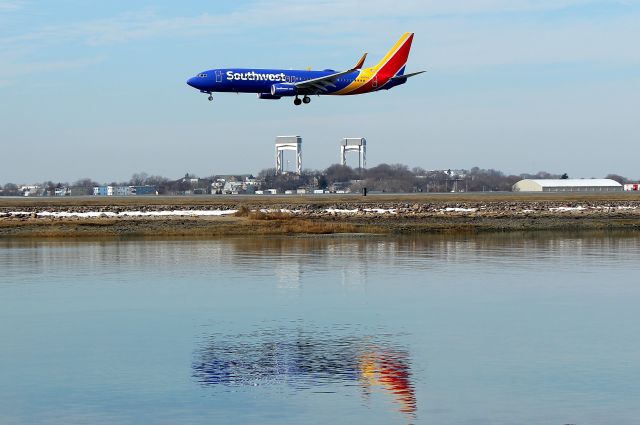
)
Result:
{"points": [[392, 178]]}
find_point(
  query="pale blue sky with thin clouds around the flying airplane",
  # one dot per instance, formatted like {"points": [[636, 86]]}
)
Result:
{"points": [[97, 89]]}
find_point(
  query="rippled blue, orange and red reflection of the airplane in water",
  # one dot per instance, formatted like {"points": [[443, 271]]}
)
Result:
{"points": [[306, 360]]}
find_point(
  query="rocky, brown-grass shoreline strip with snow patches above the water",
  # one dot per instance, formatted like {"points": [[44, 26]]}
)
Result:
{"points": [[206, 216]]}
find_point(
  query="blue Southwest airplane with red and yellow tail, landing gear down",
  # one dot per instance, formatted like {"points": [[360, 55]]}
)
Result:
{"points": [[278, 83]]}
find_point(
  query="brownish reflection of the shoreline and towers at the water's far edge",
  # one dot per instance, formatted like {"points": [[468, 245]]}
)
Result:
{"points": [[290, 258]]}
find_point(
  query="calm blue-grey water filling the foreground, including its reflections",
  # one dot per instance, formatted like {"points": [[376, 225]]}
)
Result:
{"points": [[487, 330]]}
